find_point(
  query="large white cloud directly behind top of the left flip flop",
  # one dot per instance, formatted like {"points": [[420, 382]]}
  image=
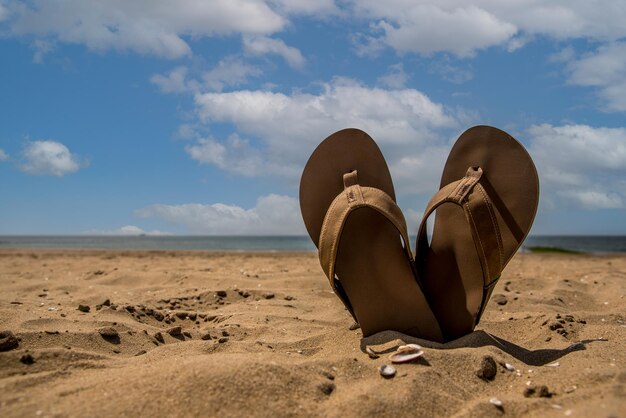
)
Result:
{"points": [[288, 127]]}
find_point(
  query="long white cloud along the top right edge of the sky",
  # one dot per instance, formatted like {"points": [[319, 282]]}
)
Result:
{"points": [[455, 26]]}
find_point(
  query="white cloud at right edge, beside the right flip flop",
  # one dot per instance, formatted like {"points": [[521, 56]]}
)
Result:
{"points": [[581, 164]]}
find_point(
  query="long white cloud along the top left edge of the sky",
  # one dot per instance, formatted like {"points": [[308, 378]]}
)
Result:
{"points": [[156, 27]]}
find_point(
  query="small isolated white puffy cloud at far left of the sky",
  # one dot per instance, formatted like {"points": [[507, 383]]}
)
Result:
{"points": [[49, 158]]}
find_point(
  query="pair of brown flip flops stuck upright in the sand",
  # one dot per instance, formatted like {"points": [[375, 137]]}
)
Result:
{"points": [[484, 209]]}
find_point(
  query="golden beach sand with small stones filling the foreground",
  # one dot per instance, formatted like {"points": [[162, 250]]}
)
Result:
{"points": [[253, 334]]}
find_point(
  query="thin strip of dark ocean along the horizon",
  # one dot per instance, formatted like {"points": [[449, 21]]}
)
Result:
{"points": [[587, 244]]}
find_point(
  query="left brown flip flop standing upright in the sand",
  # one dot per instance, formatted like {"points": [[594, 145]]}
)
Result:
{"points": [[348, 205]]}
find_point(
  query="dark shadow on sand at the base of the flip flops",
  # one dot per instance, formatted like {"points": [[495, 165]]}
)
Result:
{"points": [[388, 341]]}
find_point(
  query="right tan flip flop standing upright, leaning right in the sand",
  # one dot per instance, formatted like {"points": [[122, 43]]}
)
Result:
{"points": [[485, 208]]}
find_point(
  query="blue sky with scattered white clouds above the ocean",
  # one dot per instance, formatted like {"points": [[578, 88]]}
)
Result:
{"points": [[197, 116]]}
